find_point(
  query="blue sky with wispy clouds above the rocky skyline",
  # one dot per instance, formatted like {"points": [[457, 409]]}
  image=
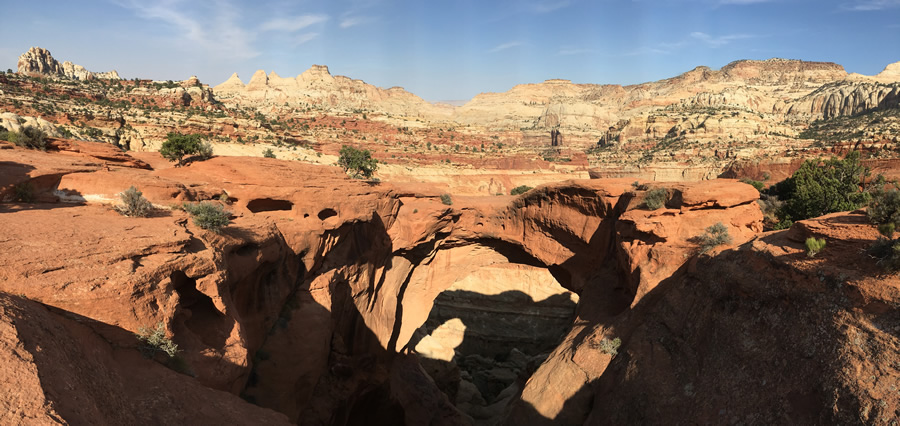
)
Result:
{"points": [[449, 49]]}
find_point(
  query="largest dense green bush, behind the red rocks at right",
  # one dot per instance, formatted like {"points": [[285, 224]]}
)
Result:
{"points": [[821, 186]]}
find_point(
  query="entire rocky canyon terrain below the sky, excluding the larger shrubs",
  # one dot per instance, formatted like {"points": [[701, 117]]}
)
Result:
{"points": [[430, 294]]}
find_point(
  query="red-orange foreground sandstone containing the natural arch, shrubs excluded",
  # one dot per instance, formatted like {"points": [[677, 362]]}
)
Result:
{"points": [[334, 301]]}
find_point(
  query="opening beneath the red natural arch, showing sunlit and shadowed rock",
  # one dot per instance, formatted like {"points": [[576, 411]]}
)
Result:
{"points": [[495, 320]]}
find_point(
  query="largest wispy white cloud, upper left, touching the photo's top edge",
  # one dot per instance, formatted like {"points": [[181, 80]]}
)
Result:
{"points": [[218, 31]]}
